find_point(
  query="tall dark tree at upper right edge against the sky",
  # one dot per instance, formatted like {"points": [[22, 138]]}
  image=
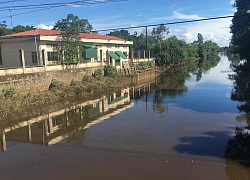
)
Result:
{"points": [[240, 29]]}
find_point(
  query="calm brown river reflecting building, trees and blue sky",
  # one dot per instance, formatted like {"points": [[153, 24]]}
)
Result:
{"points": [[175, 127]]}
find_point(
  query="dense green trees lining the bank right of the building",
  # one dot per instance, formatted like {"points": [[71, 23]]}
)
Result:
{"points": [[170, 50]]}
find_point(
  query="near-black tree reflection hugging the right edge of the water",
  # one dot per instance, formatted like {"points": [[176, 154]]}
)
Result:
{"points": [[238, 148]]}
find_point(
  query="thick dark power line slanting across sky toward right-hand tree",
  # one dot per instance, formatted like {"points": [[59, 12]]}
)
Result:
{"points": [[169, 23]]}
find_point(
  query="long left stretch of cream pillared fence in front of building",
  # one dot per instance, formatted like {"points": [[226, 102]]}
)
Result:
{"points": [[20, 62]]}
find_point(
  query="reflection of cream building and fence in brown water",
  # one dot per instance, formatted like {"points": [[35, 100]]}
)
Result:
{"points": [[70, 123]]}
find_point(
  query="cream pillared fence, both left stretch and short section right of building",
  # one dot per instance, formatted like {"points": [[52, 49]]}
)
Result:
{"points": [[22, 62]]}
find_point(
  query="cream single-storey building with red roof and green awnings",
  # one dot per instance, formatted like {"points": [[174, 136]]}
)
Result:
{"points": [[37, 47]]}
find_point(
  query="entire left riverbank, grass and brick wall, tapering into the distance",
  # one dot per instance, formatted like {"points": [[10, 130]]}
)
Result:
{"points": [[13, 102]]}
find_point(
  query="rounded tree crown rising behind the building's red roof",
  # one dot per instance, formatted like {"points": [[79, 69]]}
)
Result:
{"points": [[82, 25]]}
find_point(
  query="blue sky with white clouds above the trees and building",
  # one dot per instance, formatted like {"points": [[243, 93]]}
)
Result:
{"points": [[110, 14]]}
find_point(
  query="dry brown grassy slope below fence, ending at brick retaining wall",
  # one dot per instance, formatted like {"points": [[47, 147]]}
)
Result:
{"points": [[14, 103]]}
